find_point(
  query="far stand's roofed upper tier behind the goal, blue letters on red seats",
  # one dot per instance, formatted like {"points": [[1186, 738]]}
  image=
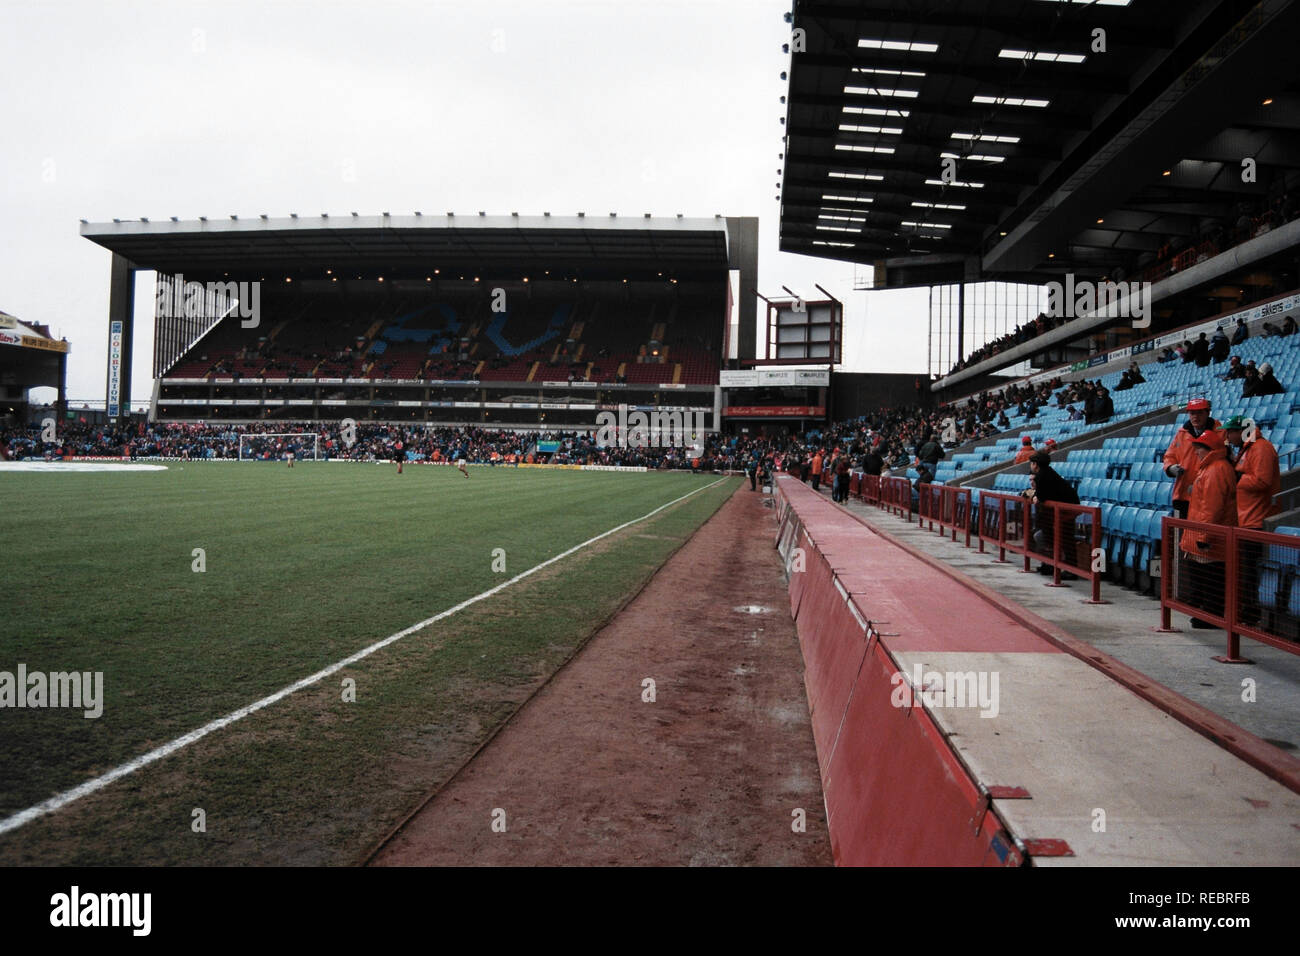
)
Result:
{"points": [[510, 322]]}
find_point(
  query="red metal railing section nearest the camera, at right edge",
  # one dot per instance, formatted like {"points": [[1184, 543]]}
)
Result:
{"points": [[1238, 579]]}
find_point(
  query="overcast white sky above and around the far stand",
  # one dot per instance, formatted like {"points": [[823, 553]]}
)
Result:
{"points": [[185, 109]]}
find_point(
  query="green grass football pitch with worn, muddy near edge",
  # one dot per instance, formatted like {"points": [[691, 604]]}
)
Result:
{"points": [[203, 590]]}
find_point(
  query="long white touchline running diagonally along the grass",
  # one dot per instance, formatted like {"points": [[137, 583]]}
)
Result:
{"points": [[62, 801]]}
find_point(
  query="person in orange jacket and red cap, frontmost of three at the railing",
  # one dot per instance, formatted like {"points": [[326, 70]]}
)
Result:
{"points": [[1214, 501]]}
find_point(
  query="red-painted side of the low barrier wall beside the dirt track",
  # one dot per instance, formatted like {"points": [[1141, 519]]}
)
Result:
{"points": [[895, 791]]}
